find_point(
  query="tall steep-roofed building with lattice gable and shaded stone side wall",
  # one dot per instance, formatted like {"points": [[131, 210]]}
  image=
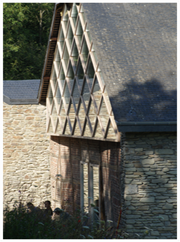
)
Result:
{"points": [[109, 87]]}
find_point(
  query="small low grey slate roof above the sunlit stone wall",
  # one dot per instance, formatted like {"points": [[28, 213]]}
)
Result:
{"points": [[21, 91]]}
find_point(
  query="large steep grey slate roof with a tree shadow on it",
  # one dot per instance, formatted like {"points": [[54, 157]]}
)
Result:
{"points": [[136, 45]]}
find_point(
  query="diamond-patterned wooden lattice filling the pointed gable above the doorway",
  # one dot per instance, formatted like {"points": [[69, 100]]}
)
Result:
{"points": [[77, 101]]}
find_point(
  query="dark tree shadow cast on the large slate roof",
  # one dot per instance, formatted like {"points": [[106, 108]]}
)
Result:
{"points": [[149, 101]]}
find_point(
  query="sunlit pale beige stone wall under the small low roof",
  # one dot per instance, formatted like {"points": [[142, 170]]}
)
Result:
{"points": [[25, 154]]}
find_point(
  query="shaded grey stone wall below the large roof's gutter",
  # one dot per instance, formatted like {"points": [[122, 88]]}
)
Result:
{"points": [[150, 170]]}
